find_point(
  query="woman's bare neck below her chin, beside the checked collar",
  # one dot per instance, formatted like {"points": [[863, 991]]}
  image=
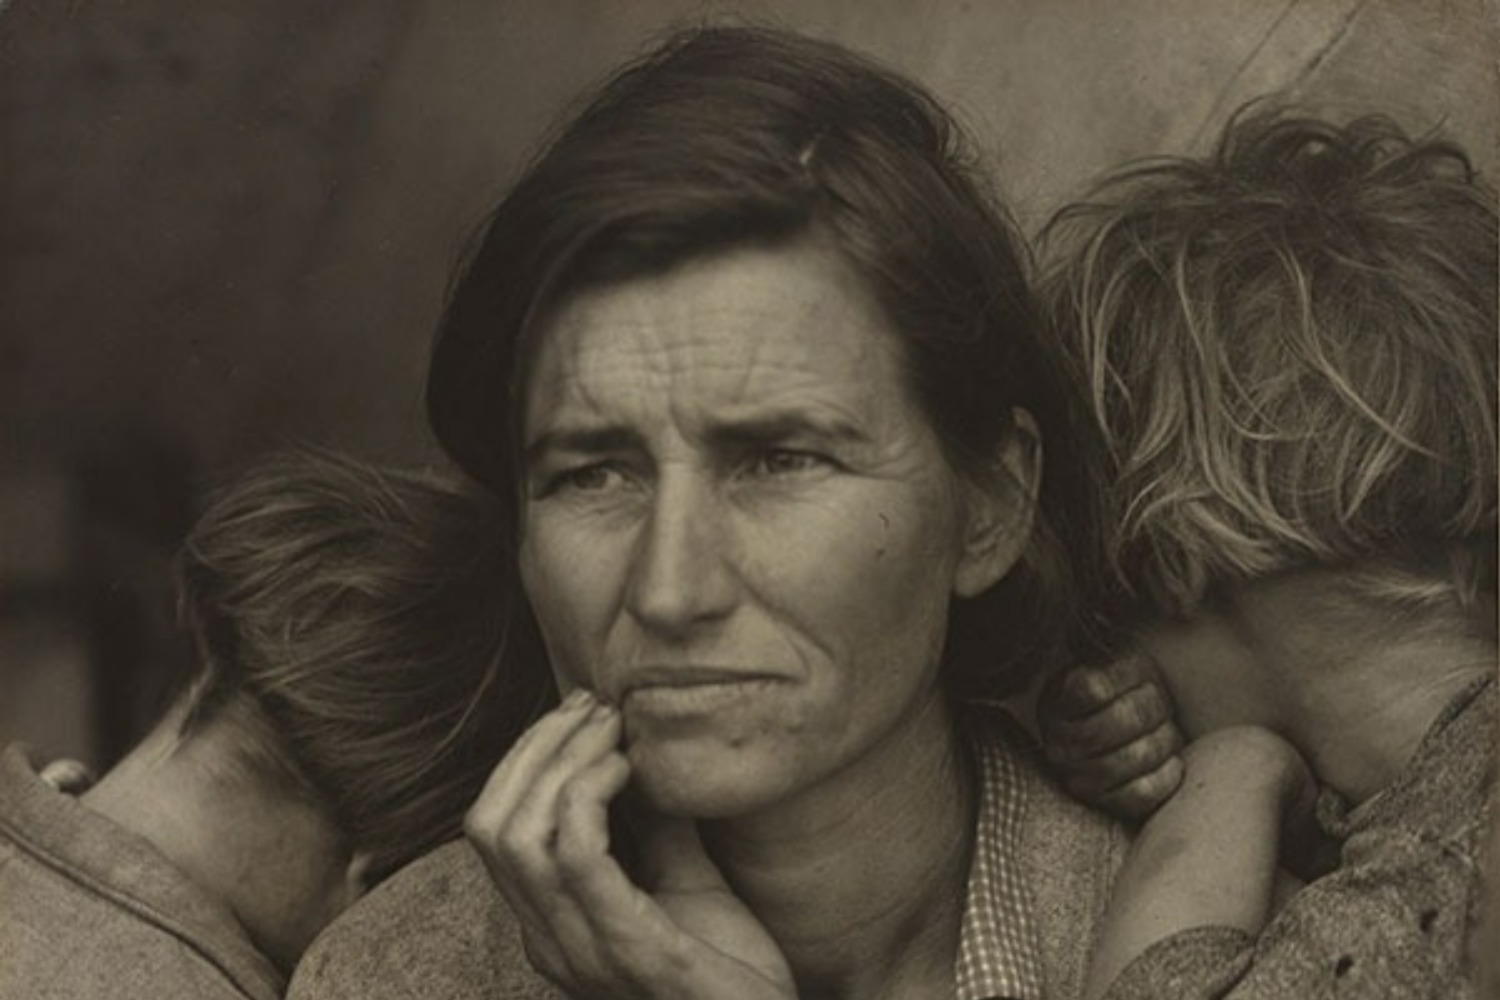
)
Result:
{"points": [[862, 881]]}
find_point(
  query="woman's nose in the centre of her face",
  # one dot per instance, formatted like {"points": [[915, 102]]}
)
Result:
{"points": [[682, 572]]}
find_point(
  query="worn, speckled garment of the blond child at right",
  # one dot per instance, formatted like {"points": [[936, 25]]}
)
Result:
{"points": [[1393, 921]]}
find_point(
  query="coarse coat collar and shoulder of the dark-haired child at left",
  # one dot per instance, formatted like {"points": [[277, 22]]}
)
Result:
{"points": [[91, 911]]}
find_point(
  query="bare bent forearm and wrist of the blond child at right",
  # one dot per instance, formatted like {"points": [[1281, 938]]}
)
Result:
{"points": [[1207, 858]]}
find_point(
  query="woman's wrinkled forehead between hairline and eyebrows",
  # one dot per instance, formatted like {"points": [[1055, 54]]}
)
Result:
{"points": [[739, 329]]}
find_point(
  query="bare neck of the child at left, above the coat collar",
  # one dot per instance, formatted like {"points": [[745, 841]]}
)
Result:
{"points": [[275, 861]]}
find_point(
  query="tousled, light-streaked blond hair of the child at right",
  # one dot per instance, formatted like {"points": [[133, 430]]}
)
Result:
{"points": [[1291, 350]]}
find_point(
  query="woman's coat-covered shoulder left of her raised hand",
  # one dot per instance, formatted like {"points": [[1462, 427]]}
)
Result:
{"points": [[437, 930]]}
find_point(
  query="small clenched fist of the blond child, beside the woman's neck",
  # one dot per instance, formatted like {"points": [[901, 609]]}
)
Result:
{"points": [[1112, 735]]}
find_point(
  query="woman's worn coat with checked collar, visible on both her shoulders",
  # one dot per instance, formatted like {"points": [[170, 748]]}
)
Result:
{"points": [[1037, 891]]}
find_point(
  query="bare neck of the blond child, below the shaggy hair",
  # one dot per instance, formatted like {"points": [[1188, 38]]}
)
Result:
{"points": [[1352, 690]]}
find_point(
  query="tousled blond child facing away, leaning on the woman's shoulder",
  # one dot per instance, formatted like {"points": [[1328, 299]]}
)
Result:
{"points": [[1291, 352]]}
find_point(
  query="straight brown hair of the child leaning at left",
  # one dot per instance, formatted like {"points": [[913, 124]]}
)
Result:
{"points": [[352, 626]]}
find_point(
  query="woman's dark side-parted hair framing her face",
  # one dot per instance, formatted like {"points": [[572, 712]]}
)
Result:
{"points": [[733, 137]]}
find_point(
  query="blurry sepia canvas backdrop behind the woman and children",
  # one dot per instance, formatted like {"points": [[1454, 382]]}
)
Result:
{"points": [[227, 227]]}
